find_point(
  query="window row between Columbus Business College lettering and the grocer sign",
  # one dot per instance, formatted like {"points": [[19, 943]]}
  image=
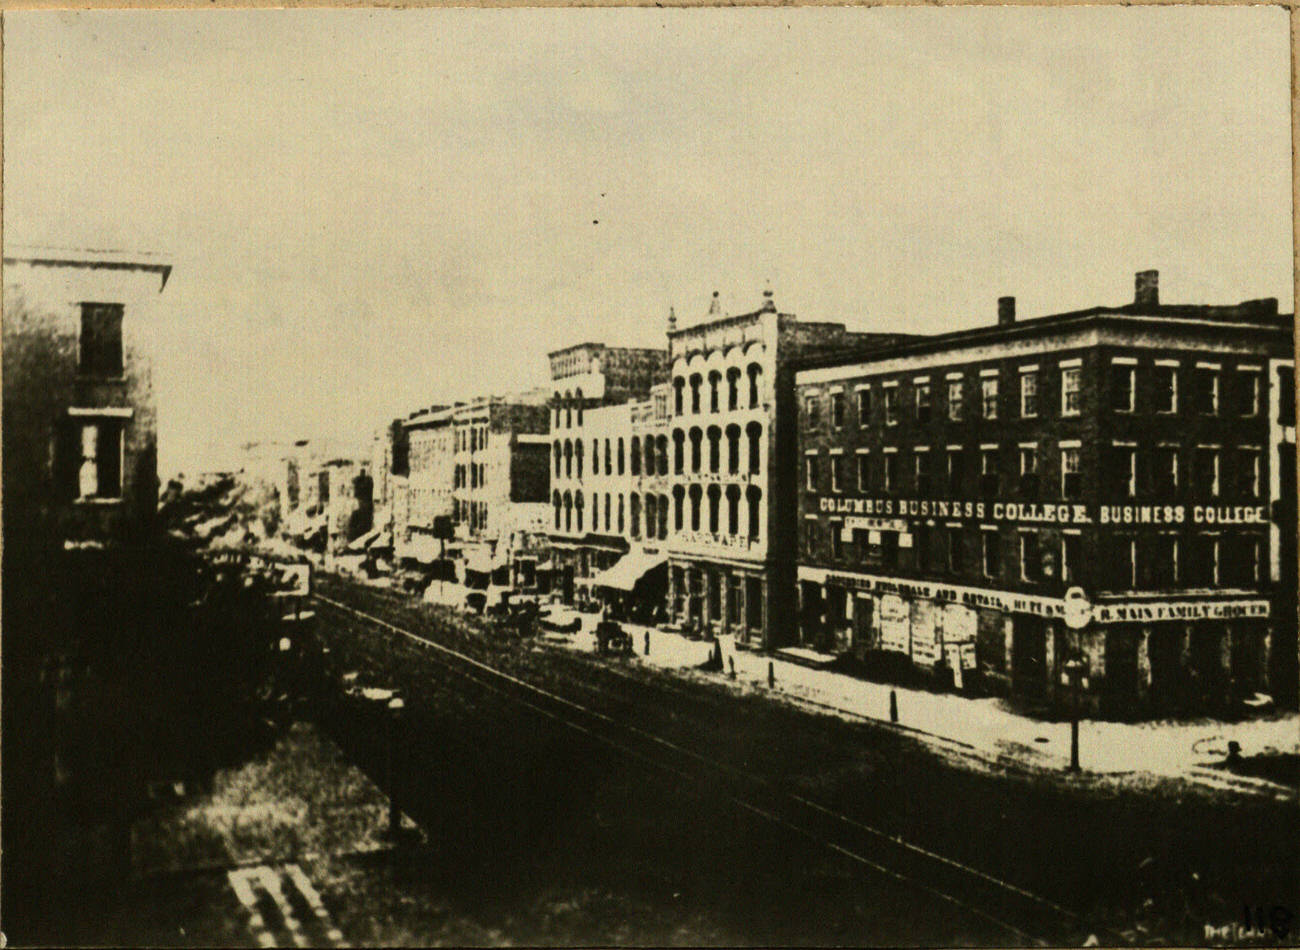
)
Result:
{"points": [[1128, 562]]}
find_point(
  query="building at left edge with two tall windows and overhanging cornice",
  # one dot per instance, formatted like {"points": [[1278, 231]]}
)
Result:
{"points": [[80, 419]]}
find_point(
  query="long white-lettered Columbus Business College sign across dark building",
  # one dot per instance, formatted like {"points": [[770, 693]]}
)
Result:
{"points": [[1048, 514]]}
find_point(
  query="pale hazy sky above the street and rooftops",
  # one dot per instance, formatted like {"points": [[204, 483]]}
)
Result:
{"points": [[374, 211]]}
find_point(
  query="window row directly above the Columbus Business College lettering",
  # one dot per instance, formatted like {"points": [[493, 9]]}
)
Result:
{"points": [[1126, 471]]}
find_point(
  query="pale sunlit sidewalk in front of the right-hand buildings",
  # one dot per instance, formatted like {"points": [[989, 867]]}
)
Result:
{"points": [[985, 726]]}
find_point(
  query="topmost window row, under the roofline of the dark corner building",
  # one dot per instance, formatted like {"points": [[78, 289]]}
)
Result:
{"points": [[1156, 389]]}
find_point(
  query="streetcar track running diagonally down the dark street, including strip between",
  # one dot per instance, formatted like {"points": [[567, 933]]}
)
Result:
{"points": [[1016, 912]]}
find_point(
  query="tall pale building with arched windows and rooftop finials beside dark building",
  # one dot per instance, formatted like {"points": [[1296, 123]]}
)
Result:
{"points": [[730, 537]]}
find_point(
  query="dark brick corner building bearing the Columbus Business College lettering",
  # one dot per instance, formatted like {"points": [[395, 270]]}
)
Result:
{"points": [[955, 488]]}
